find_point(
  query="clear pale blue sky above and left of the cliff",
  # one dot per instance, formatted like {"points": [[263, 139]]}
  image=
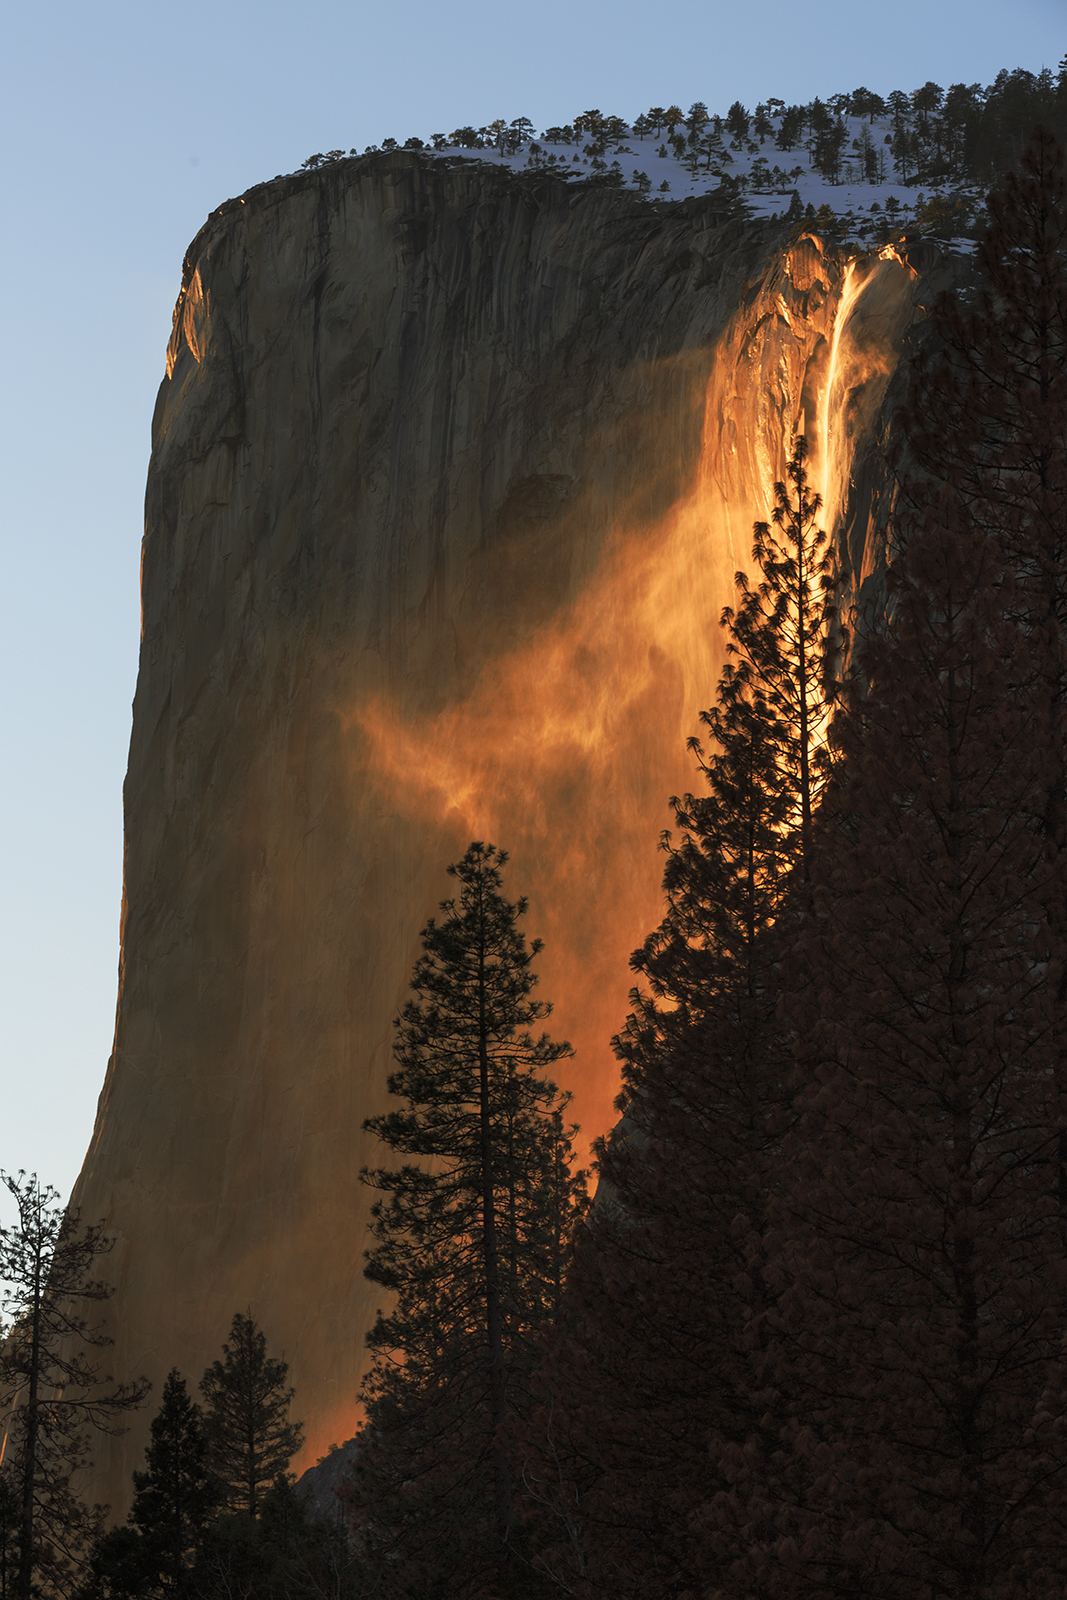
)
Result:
{"points": [[124, 126]]}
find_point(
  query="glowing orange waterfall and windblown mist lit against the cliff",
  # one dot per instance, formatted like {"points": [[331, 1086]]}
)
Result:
{"points": [[567, 746]]}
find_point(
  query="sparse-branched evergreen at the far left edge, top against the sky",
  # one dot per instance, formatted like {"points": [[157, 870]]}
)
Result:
{"points": [[55, 1390]]}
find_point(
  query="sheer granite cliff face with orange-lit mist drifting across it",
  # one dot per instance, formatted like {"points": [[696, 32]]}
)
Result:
{"points": [[450, 478]]}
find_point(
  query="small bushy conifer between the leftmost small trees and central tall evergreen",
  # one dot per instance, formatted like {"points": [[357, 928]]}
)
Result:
{"points": [[249, 1431]]}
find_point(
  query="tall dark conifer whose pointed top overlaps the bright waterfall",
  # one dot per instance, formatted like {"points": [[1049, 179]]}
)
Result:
{"points": [[668, 1284]]}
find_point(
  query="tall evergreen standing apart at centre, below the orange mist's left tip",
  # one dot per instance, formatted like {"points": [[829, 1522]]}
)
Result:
{"points": [[471, 1244]]}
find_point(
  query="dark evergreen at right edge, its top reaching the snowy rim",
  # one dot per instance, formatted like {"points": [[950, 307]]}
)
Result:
{"points": [[989, 415]]}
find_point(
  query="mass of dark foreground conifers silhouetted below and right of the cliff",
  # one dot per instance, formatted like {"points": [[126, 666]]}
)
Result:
{"points": [[809, 1340]]}
